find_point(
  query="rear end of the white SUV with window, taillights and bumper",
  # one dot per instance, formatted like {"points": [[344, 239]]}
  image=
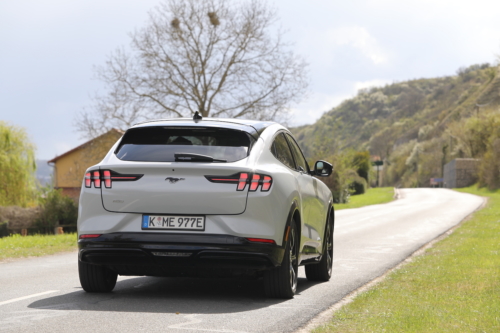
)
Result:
{"points": [[172, 199]]}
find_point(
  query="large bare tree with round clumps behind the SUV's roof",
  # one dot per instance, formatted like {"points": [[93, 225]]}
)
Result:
{"points": [[220, 58]]}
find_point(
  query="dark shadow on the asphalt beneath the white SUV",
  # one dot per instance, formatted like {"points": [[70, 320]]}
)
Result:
{"points": [[171, 295]]}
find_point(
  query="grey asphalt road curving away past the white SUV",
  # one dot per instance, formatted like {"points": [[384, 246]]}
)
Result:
{"points": [[44, 294]]}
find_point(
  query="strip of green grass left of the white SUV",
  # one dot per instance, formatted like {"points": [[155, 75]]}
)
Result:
{"points": [[17, 246]]}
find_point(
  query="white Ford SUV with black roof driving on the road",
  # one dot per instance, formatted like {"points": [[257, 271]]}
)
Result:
{"points": [[205, 197]]}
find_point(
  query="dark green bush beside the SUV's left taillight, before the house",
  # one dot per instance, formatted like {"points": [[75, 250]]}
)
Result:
{"points": [[57, 210]]}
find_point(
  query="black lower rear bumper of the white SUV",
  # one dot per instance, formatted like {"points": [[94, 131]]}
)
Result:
{"points": [[160, 254]]}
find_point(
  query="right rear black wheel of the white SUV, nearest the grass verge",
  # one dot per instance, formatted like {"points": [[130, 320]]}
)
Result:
{"points": [[281, 282]]}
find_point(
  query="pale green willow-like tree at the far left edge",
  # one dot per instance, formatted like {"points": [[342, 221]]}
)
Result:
{"points": [[17, 167]]}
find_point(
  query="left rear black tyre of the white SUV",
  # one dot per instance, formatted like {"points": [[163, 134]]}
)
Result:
{"points": [[96, 279]]}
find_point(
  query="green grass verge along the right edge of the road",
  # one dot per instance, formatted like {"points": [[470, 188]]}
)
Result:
{"points": [[453, 287]]}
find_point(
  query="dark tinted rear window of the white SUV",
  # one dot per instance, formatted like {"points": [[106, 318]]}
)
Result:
{"points": [[160, 144]]}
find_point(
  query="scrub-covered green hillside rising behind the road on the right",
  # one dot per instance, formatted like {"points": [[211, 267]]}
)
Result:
{"points": [[413, 125]]}
